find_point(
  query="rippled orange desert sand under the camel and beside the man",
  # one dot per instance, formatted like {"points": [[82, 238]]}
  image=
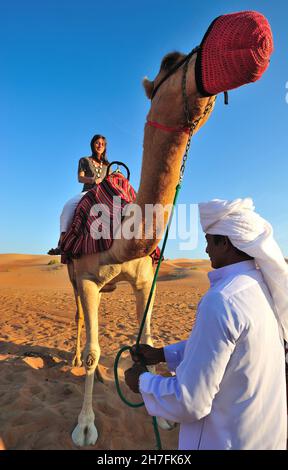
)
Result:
{"points": [[40, 393]]}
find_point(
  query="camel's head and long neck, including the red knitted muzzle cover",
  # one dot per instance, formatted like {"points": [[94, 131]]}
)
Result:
{"points": [[234, 51]]}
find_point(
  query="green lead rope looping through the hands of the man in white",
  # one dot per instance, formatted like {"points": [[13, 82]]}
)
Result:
{"points": [[128, 348]]}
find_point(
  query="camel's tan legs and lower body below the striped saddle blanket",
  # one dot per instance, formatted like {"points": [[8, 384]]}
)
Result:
{"points": [[87, 284]]}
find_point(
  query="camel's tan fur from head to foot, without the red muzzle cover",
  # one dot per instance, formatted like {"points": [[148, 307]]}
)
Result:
{"points": [[127, 259]]}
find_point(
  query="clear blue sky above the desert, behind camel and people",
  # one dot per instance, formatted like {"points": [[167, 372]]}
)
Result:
{"points": [[70, 69]]}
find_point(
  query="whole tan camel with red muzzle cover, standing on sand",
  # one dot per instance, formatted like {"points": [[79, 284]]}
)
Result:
{"points": [[181, 89]]}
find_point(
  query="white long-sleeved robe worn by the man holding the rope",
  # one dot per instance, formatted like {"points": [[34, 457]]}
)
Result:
{"points": [[229, 389]]}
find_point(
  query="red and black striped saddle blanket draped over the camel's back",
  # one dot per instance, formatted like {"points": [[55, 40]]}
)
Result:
{"points": [[96, 216]]}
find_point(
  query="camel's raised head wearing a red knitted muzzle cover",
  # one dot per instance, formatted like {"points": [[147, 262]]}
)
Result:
{"points": [[235, 50]]}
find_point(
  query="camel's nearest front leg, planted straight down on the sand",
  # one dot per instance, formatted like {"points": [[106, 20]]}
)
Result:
{"points": [[85, 432]]}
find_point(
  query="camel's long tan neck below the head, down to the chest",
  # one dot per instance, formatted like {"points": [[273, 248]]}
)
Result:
{"points": [[160, 173]]}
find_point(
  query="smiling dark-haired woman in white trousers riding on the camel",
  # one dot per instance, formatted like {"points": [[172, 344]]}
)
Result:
{"points": [[91, 171]]}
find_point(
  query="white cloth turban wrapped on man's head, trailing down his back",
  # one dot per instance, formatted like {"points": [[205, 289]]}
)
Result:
{"points": [[252, 234]]}
